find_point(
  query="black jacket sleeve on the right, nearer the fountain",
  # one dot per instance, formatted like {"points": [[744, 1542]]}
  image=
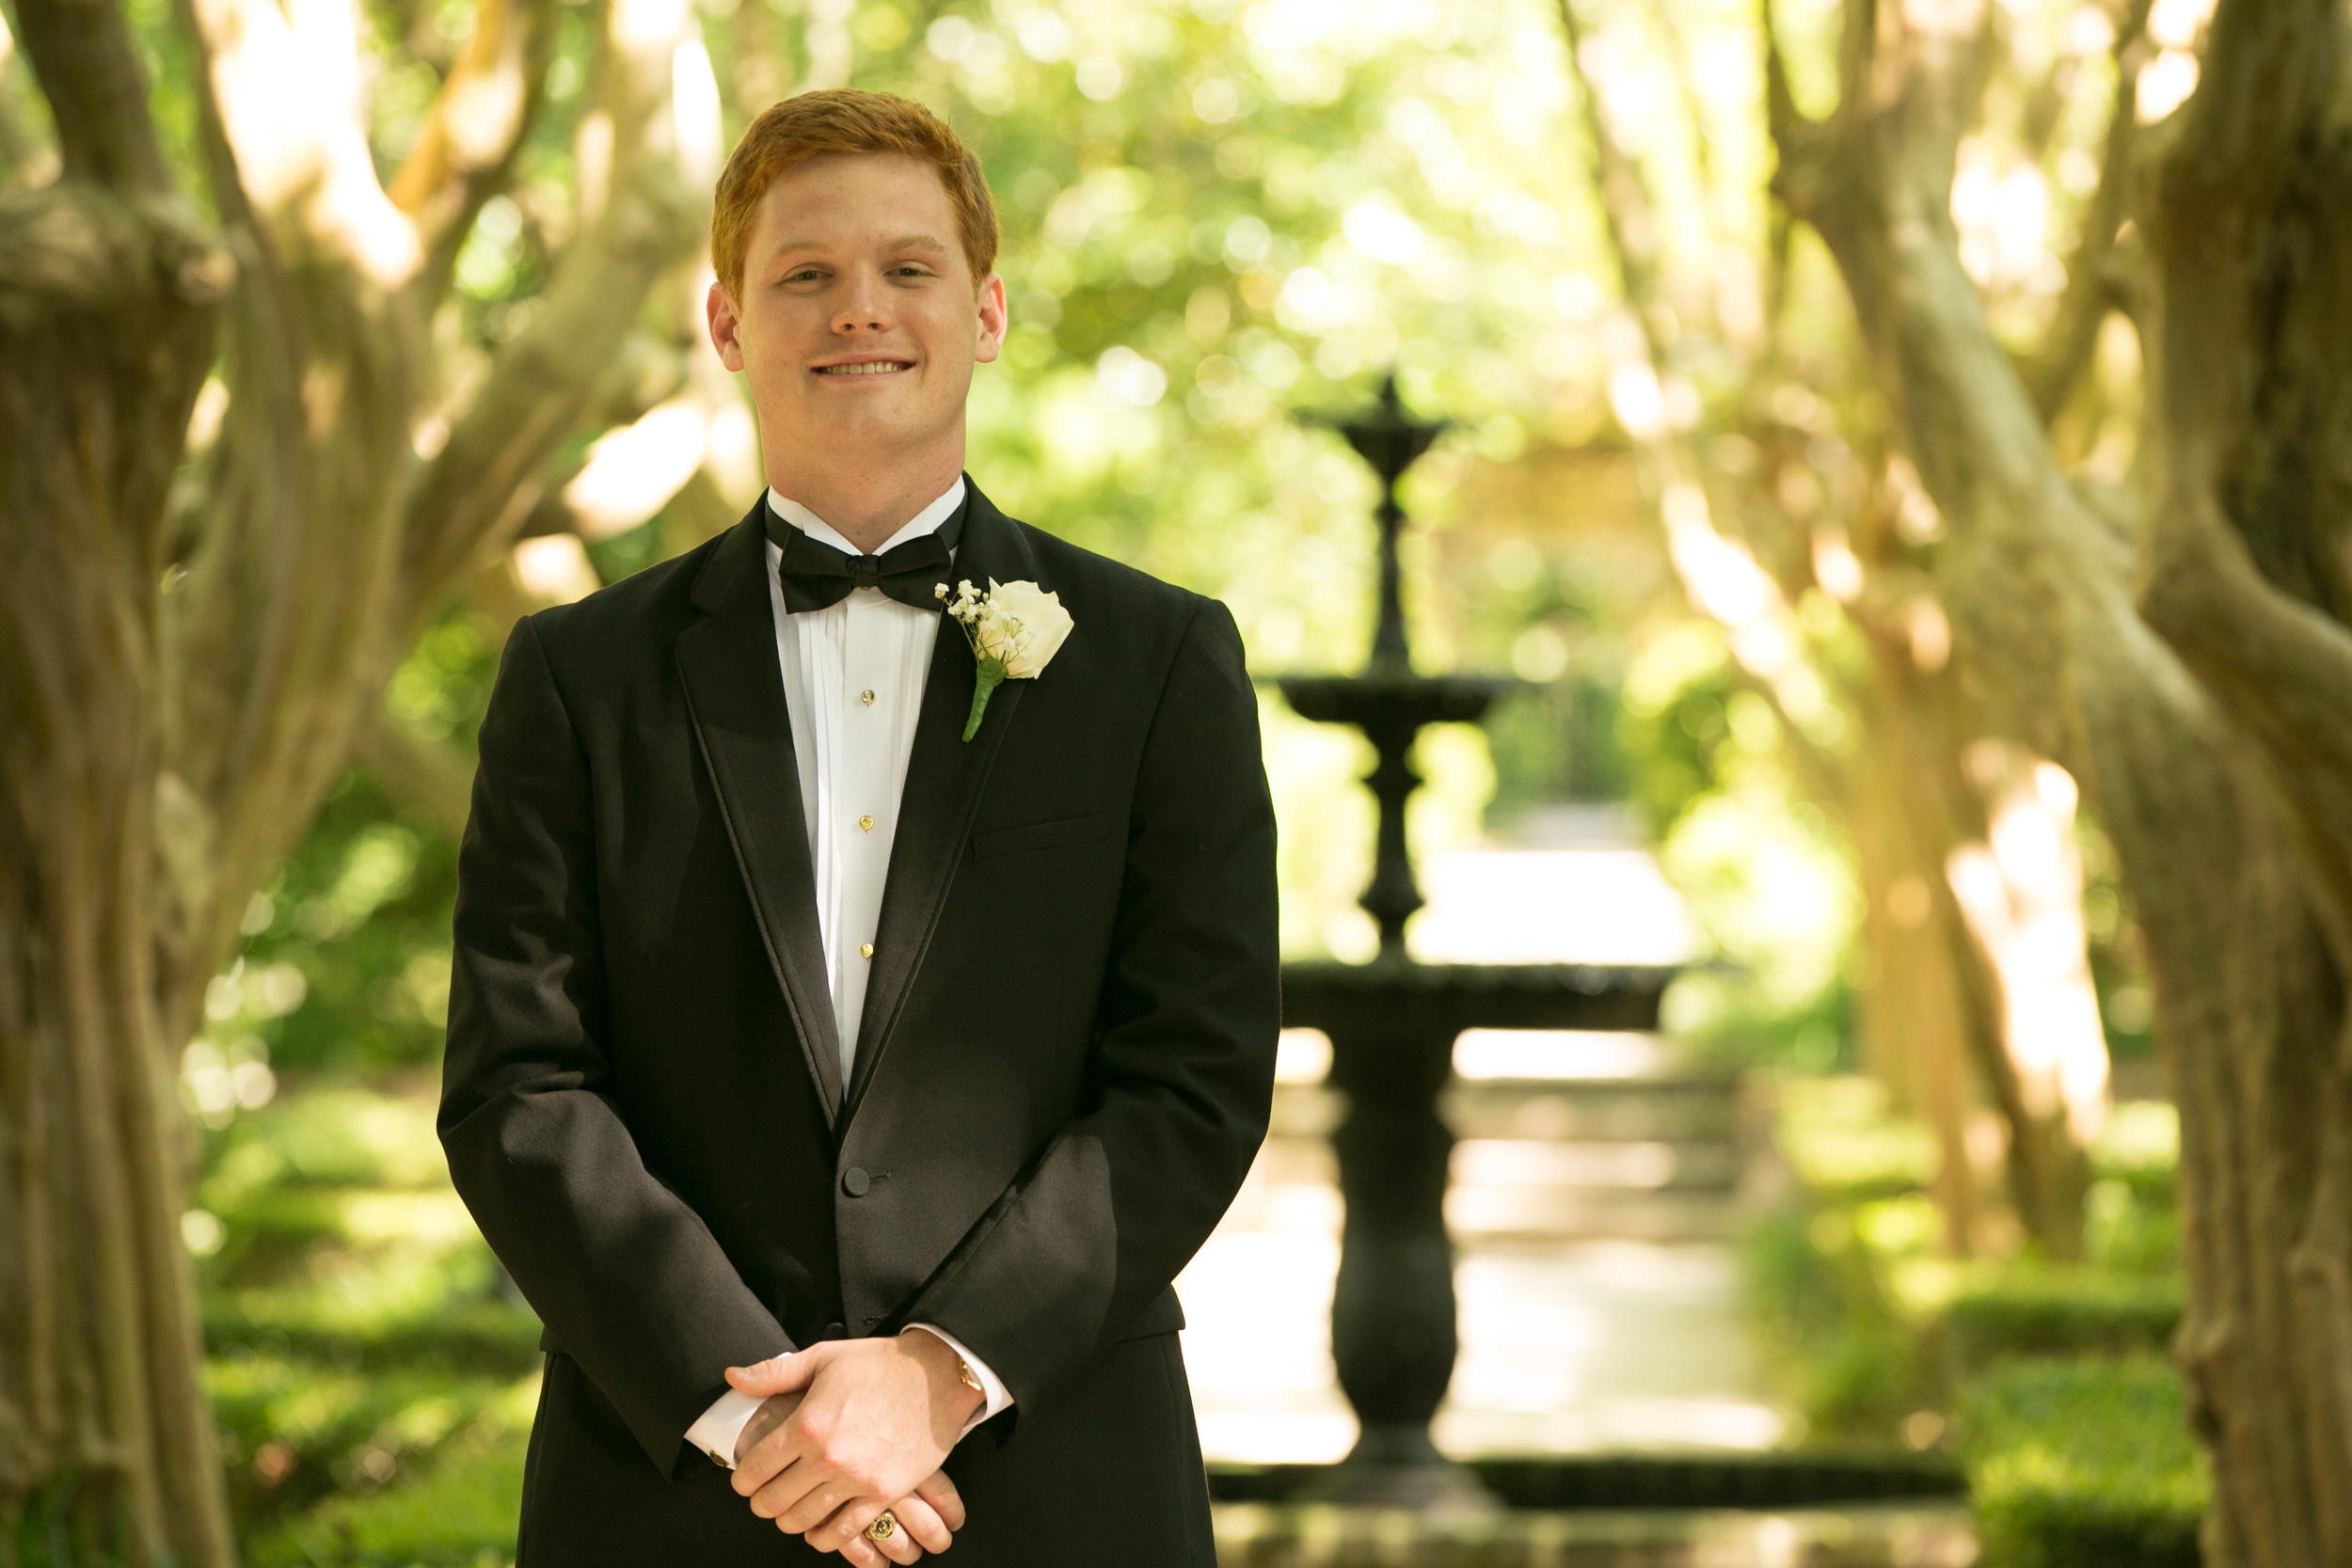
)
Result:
{"points": [[1184, 1064]]}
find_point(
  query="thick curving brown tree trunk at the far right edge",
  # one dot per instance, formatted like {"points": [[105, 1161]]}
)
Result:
{"points": [[2250, 577]]}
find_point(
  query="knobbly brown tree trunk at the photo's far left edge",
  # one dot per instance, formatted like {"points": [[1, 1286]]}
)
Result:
{"points": [[105, 1440]]}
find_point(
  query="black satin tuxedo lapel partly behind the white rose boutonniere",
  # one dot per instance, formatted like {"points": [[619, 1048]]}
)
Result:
{"points": [[944, 779]]}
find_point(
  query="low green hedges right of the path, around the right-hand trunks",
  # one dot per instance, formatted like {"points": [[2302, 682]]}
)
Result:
{"points": [[2073, 1463]]}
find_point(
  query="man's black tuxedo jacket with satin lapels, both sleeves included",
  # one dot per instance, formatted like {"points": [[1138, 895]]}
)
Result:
{"points": [[1060, 1083]]}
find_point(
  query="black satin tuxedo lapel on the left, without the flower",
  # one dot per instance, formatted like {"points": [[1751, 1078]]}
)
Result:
{"points": [[735, 697]]}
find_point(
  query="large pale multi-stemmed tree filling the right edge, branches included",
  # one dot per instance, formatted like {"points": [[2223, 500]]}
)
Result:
{"points": [[2189, 664]]}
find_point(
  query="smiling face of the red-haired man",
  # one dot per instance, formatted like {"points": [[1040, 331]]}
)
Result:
{"points": [[860, 319]]}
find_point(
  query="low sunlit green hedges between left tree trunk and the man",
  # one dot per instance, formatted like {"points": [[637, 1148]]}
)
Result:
{"points": [[356, 1325]]}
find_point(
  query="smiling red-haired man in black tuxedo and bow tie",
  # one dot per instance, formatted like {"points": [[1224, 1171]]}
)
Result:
{"points": [[846, 1066]]}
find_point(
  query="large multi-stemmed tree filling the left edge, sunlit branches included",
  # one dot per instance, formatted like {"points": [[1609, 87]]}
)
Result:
{"points": [[194, 643]]}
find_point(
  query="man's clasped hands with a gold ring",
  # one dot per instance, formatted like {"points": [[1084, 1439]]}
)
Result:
{"points": [[850, 1428]]}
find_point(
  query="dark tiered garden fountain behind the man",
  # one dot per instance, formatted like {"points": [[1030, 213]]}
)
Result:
{"points": [[1394, 1024]]}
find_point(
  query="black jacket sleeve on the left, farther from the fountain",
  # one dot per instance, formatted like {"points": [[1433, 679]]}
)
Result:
{"points": [[627, 1278]]}
